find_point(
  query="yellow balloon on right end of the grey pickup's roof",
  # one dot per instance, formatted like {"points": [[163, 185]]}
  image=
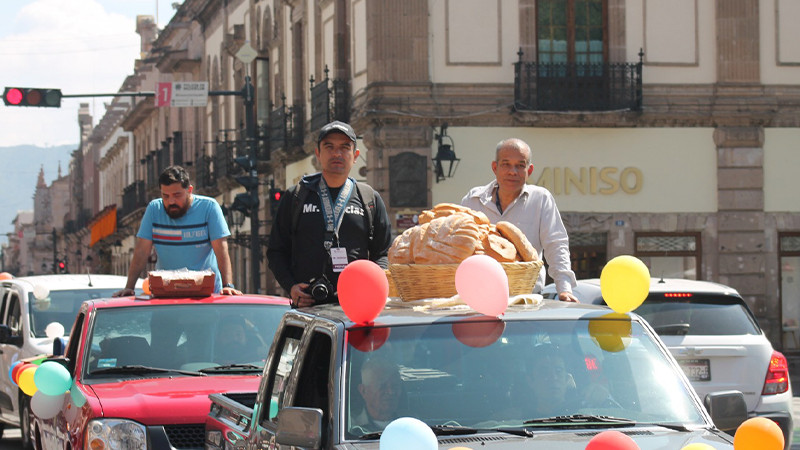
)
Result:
{"points": [[624, 283]]}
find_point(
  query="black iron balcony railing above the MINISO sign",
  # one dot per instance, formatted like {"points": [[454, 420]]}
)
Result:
{"points": [[577, 87]]}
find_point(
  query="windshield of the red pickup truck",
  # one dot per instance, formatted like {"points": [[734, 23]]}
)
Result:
{"points": [[189, 337]]}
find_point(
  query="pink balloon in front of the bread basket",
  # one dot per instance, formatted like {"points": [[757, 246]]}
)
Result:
{"points": [[483, 285]]}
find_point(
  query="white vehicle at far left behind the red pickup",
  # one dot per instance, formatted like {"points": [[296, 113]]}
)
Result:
{"points": [[34, 312]]}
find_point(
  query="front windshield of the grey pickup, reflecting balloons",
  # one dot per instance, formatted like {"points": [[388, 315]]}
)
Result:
{"points": [[487, 373]]}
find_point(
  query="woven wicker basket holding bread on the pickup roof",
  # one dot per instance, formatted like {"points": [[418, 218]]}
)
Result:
{"points": [[418, 281]]}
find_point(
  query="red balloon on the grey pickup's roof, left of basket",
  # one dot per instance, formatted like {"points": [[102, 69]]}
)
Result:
{"points": [[363, 289]]}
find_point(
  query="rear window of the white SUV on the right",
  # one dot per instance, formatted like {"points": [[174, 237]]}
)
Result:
{"points": [[700, 315]]}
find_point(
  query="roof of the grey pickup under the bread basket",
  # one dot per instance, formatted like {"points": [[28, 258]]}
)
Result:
{"points": [[397, 314]]}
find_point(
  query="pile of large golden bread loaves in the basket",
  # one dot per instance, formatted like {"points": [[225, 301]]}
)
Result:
{"points": [[449, 233]]}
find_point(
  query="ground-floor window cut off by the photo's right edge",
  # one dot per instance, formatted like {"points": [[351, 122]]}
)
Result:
{"points": [[789, 257]]}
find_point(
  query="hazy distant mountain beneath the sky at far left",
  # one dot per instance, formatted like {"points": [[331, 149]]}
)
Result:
{"points": [[19, 171]]}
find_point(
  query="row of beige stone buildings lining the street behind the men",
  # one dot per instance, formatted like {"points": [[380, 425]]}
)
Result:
{"points": [[666, 130]]}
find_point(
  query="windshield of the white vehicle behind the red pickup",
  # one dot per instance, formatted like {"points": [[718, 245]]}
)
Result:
{"points": [[61, 307]]}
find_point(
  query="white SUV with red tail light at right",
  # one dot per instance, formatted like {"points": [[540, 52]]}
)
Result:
{"points": [[716, 339]]}
